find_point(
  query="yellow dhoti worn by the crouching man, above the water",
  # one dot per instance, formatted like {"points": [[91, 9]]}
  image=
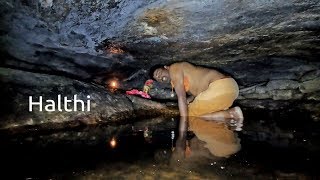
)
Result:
{"points": [[219, 96]]}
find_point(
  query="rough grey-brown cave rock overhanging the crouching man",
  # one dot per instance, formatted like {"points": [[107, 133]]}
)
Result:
{"points": [[270, 47]]}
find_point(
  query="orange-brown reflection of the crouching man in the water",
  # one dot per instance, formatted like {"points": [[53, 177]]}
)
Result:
{"points": [[216, 137]]}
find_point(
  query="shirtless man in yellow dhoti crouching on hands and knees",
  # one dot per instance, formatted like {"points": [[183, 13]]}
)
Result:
{"points": [[212, 93]]}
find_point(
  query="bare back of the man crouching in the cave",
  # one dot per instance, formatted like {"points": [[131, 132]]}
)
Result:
{"points": [[196, 78]]}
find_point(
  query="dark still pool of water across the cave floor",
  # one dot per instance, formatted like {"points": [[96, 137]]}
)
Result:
{"points": [[264, 149]]}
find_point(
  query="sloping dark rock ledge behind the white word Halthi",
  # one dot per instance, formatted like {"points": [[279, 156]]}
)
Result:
{"points": [[106, 106]]}
